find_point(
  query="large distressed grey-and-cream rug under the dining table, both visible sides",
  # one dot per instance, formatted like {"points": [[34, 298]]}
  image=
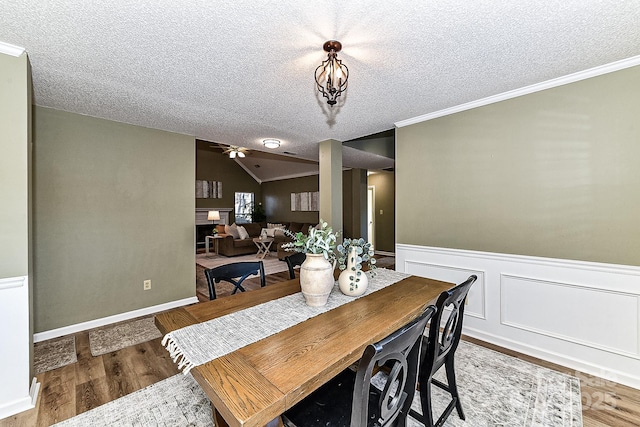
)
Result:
{"points": [[496, 390]]}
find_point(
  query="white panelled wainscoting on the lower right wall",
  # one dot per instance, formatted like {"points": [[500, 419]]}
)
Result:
{"points": [[582, 315]]}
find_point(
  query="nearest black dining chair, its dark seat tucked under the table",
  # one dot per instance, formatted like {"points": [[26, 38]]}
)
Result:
{"points": [[350, 398]]}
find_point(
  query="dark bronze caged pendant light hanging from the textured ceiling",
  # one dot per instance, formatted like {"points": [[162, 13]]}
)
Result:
{"points": [[332, 74]]}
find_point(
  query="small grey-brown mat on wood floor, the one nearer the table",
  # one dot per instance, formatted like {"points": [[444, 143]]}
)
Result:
{"points": [[120, 335]]}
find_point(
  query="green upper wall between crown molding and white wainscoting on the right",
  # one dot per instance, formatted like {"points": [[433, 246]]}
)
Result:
{"points": [[551, 174]]}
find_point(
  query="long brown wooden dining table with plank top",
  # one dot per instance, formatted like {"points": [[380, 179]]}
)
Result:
{"points": [[255, 384]]}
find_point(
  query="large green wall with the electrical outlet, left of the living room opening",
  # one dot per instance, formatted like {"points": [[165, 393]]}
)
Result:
{"points": [[113, 206]]}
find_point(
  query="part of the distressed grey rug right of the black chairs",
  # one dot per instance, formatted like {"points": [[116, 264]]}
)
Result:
{"points": [[500, 390]]}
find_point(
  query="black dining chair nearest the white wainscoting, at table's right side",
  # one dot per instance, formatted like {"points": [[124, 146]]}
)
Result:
{"points": [[438, 348]]}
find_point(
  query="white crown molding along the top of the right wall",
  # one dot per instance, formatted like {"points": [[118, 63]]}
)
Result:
{"points": [[560, 81]]}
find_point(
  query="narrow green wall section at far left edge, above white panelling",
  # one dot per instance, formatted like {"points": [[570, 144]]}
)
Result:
{"points": [[15, 162]]}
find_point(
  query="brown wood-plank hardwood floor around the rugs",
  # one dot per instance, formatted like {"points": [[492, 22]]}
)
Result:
{"points": [[93, 381]]}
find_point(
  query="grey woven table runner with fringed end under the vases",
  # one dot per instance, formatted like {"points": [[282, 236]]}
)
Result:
{"points": [[200, 343]]}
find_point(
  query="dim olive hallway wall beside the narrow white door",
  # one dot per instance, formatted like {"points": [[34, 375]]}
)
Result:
{"points": [[384, 183]]}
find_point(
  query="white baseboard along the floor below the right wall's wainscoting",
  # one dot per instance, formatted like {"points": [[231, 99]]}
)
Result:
{"points": [[609, 374]]}
